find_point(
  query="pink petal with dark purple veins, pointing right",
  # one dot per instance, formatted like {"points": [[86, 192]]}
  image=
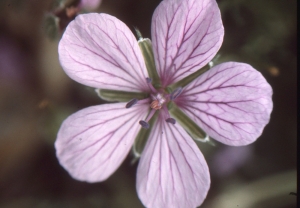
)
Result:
{"points": [[231, 102]]}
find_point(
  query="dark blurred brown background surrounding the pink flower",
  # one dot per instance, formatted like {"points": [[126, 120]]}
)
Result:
{"points": [[36, 96]]}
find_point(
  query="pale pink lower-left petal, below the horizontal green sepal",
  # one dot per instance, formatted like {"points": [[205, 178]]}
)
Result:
{"points": [[93, 142]]}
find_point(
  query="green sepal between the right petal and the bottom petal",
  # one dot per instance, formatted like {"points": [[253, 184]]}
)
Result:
{"points": [[188, 124]]}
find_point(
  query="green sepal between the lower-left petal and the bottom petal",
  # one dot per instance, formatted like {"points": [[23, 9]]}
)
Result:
{"points": [[142, 137]]}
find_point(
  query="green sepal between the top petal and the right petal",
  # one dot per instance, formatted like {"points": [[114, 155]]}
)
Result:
{"points": [[187, 80]]}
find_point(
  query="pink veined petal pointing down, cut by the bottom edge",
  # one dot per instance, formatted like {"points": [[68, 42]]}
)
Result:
{"points": [[172, 172]]}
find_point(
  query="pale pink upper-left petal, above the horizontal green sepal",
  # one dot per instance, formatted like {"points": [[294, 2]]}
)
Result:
{"points": [[100, 51]]}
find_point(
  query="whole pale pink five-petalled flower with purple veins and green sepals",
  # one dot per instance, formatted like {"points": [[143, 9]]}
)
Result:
{"points": [[231, 102]]}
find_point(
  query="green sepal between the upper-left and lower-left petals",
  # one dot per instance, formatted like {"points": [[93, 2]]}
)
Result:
{"points": [[120, 96]]}
